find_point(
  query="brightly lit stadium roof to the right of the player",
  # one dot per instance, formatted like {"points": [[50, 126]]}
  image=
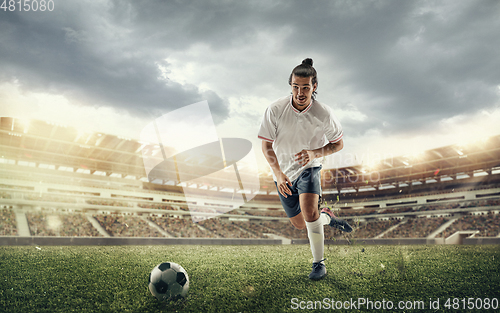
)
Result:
{"points": [[445, 163]]}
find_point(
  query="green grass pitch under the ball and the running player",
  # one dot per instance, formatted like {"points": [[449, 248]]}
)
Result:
{"points": [[244, 278]]}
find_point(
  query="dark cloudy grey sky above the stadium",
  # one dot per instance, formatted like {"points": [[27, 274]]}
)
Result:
{"points": [[402, 76]]}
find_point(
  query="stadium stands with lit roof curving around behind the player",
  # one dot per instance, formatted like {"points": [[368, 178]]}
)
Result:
{"points": [[55, 177]]}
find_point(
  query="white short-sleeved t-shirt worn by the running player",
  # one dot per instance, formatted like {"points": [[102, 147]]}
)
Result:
{"points": [[291, 131]]}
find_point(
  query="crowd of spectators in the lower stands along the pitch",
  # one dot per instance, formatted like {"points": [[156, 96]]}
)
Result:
{"points": [[59, 224]]}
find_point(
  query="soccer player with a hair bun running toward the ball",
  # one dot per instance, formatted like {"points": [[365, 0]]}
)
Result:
{"points": [[296, 132]]}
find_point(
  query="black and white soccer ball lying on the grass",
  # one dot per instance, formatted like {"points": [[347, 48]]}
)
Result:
{"points": [[168, 281]]}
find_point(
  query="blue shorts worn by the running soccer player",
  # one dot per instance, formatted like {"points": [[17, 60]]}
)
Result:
{"points": [[309, 181]]}
